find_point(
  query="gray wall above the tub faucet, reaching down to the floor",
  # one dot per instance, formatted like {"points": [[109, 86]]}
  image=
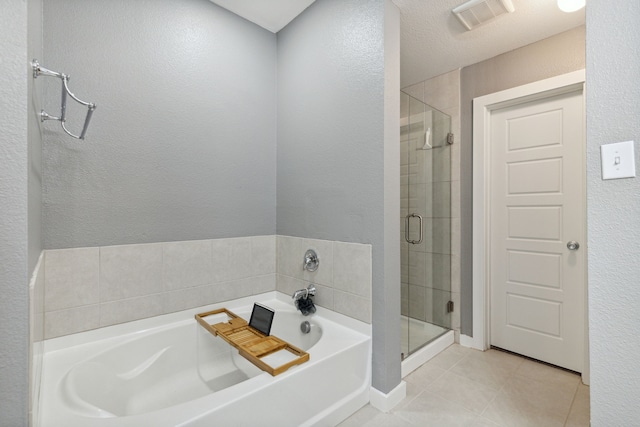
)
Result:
{"points": [[331, 144]]}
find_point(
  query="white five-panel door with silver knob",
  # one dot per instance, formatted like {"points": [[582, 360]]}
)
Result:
{"points": [[536, 208]]}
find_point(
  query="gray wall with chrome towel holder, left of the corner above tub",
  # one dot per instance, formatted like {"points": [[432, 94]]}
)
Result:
{"points": [[182, 145]]}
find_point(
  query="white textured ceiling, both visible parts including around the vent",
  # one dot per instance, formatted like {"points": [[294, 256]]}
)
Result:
{"points": [[433, 41]]}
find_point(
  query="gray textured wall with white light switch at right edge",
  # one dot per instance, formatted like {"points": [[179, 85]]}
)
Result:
{"points": [[613, 108]]}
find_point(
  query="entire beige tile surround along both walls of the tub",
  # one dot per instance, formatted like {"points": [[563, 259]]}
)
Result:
{"points": [[88, 288]]}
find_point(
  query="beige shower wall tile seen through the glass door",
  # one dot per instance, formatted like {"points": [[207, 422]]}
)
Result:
{"points": [[426, 269]]}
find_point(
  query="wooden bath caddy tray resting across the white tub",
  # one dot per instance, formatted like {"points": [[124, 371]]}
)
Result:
{"points": [[252, 344]]}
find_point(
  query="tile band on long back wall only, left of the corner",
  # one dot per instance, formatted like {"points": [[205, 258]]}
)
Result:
{"points": [[88, 288]]}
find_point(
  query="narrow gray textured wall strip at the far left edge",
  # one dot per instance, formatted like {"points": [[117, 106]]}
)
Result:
{"points": [[14, 303]]}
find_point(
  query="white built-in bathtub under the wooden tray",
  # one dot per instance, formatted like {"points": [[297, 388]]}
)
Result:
{"points": [[168, 371]]}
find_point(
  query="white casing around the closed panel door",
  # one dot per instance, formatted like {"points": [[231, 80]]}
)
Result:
{"points": [[482, 108]]}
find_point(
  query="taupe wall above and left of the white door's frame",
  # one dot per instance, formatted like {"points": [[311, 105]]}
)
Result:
{"points": [[550, 57]]}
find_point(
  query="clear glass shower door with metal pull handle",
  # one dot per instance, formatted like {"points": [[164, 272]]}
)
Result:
{"points": [[425, 192]]}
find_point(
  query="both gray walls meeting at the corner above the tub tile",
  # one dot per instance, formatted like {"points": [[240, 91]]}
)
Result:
{"points": [[183, 143]]}
